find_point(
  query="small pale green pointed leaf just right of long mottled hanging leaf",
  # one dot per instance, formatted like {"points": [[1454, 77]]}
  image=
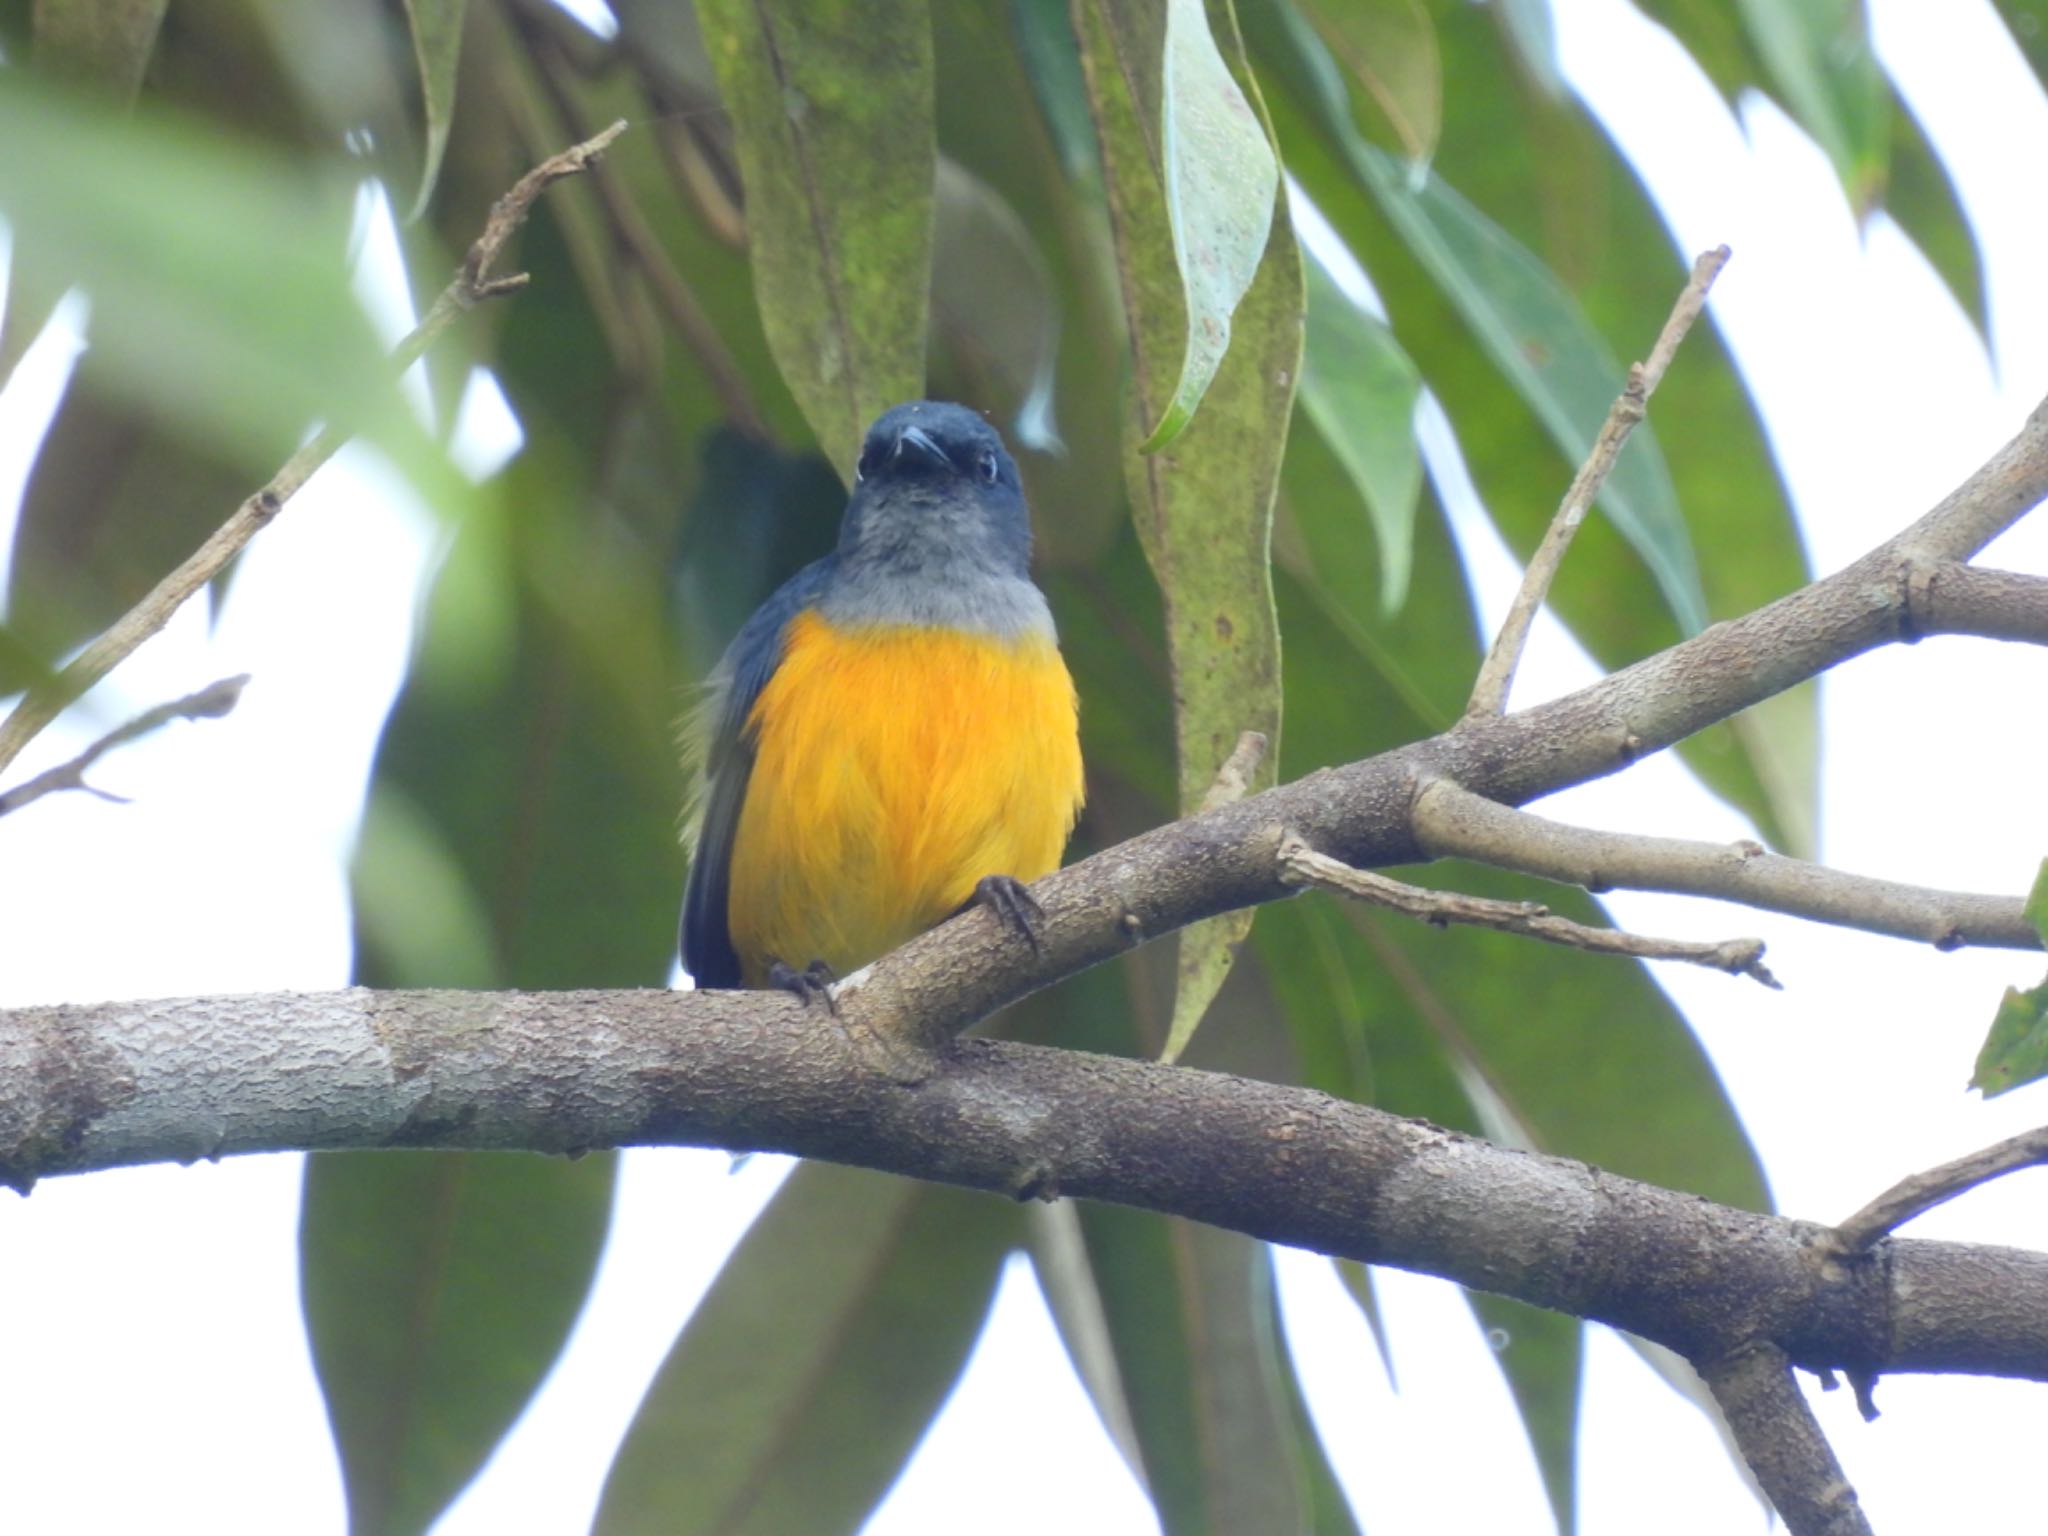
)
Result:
{"points": [[1361, 392]]}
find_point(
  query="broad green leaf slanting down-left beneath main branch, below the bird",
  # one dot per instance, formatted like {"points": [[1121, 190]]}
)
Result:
{"points": [[814, 1365]]}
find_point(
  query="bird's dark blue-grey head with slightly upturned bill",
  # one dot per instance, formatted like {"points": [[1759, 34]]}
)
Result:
{"points": [[937, 497]]}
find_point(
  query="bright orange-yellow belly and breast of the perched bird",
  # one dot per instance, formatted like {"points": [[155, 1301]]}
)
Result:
{"points": [[894, 769]]}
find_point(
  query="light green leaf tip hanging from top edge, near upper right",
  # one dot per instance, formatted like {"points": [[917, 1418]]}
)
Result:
{"points": [[1824, 69]]}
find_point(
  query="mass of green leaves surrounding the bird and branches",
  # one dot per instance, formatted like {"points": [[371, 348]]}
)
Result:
{"points": [[1021, 208]]}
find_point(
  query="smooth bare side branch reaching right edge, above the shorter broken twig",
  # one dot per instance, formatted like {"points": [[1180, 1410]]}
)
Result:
{"points": [[1451, 822]]}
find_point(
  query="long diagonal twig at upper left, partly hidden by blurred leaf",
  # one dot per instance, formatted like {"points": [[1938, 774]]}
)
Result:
{"points": [[470, 286]]}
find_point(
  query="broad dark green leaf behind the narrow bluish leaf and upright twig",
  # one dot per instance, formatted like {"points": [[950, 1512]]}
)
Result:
{"points": [[1560, 181]]}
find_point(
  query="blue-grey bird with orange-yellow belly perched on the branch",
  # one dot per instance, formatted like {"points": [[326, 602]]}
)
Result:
{"points": [[892, 736]]}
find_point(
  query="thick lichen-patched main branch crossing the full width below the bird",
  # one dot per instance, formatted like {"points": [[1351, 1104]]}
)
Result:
{"points": [[120, 1084]]}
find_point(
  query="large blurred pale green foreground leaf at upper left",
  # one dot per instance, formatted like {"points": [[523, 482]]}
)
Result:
{"points": [[216, 273]]}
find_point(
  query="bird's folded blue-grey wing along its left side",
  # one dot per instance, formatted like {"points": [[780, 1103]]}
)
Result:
{"points": [[720, 744]]}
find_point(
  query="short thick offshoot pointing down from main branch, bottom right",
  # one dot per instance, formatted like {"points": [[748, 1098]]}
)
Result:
{"points": [[1783, 1443]]}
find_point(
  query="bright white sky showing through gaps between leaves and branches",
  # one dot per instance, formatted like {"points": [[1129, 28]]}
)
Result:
{"points": [[157, 1367]]}
